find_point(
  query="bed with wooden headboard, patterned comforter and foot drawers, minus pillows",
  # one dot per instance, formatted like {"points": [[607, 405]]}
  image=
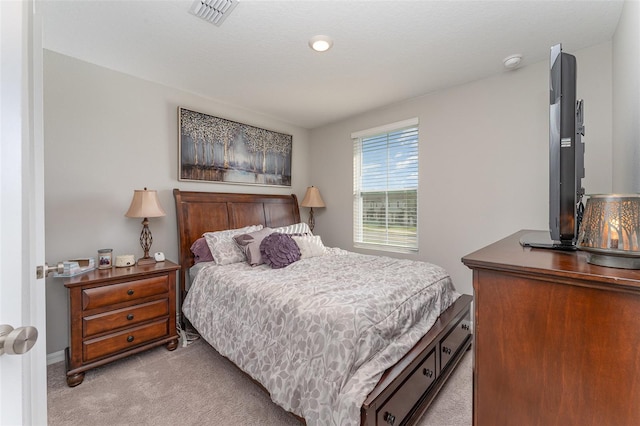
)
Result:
{"points": [[388, 380]]}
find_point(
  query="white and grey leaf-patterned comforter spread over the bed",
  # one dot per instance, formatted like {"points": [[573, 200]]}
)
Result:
{"points": [[319, 333]]}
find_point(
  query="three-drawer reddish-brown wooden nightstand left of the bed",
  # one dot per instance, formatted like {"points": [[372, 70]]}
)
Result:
{"points": [[118, 312]]}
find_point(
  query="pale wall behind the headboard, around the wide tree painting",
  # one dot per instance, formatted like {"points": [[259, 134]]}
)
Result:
{"points": [[106, 134]]}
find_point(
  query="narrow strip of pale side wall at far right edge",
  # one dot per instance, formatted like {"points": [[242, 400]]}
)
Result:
{"points": [[626, 100]]}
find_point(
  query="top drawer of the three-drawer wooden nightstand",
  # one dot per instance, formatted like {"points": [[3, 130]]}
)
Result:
{"points": [[99, 297]]}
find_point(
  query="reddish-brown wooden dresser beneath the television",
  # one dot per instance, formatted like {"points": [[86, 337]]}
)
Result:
{"points": [[555, 338]]}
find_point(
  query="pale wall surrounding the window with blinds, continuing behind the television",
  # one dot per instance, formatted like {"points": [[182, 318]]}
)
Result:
{"points": [[483, 159]]}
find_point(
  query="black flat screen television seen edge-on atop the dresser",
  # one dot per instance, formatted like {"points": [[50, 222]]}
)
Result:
{"points": [[566, 156]]}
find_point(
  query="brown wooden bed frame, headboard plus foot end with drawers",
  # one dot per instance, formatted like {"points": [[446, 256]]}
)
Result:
{"points": [[405, 390]]}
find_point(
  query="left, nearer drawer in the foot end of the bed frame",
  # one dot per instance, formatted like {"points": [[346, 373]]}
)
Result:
{"points": [[400, 404]]}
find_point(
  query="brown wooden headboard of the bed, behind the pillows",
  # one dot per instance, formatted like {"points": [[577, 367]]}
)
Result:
{"points": [[200, 212]]}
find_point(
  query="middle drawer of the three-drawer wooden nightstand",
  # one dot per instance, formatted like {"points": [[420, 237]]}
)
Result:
{"points": [[125, 317]]}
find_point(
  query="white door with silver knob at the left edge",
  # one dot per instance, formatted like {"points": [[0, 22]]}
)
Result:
{"points": [[23, 378]]}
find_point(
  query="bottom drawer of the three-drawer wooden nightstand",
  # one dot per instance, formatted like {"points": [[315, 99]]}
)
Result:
{"points": [[124, 340]]}
